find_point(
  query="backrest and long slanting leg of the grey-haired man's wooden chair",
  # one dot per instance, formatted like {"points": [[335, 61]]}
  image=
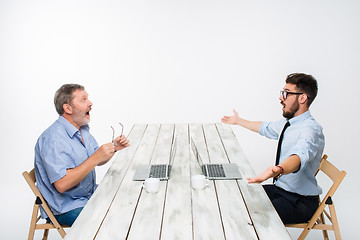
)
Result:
{"points": [[31, 180]]}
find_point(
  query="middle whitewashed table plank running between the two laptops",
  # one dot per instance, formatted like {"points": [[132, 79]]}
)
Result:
{"points": [[177, 220]]}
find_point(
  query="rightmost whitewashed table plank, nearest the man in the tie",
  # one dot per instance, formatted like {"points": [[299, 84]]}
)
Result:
{"points": [[267, 223]]}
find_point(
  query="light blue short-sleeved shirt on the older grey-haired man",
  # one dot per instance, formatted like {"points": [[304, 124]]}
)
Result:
{"points": [[60, 148]]}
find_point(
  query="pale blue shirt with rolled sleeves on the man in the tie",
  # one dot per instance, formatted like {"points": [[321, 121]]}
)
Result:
{"points": [[305, 139]]}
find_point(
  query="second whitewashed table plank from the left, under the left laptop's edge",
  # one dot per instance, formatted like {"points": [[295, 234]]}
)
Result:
{"points": [[119, 217]]}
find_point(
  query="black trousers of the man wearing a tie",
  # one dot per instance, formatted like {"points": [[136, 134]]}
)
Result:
{"points": [[292, 207]]}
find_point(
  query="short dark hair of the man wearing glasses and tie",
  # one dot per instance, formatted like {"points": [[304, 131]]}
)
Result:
{"points": [[305, 83]]}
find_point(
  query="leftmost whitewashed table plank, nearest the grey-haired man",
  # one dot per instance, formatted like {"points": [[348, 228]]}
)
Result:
{"points": [[88, 222]]}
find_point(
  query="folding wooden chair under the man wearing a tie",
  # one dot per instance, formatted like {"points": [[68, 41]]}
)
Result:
{"points": [[318, 220]]}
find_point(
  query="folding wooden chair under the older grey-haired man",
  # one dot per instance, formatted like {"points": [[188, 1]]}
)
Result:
{"points": [[40, 201]]}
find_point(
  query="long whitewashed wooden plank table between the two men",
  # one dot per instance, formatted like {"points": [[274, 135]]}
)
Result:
{"points": [[227, 209]]}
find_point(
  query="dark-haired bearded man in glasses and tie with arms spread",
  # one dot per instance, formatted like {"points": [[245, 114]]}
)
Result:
{"points": [[300, 148]]}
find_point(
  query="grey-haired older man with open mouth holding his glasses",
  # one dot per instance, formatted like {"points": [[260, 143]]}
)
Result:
{"points": [[66, 155]]}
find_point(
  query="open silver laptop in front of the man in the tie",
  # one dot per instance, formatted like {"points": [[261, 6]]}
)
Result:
{"points": [[224, 171]]}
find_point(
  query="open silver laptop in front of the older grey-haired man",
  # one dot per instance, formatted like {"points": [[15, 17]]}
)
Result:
{"points": [[161, 171]]}
